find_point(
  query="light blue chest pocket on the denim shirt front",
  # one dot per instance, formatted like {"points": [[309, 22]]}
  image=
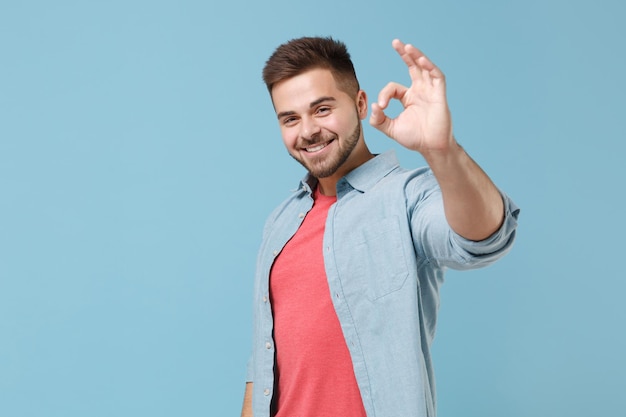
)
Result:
{"points": [[373, 258]]}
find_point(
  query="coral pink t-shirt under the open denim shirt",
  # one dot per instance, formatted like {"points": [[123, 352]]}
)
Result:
{"points": [[314, 370]]}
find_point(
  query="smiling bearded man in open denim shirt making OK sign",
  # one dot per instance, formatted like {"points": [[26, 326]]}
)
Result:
{"points": [[348, 274]]}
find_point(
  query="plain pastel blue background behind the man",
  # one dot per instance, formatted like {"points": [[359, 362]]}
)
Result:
{"points": [[139, 157]]}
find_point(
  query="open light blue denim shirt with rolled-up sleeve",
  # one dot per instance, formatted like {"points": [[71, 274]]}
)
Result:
{"points": [[386, 247]]}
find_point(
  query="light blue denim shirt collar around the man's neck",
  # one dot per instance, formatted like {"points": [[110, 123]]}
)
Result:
{"points": [[363, 177]]}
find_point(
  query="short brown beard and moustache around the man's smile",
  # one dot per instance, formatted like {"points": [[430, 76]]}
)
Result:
{"points": [[328, 165]]}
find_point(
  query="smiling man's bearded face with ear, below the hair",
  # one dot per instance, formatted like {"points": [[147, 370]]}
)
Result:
{"points": [[320, 123]]}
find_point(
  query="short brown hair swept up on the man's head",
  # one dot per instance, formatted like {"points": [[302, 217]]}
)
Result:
{"points": [[299, 55]]}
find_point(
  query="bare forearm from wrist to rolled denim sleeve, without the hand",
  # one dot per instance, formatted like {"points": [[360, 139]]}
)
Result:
{"points": [[473, 205]]}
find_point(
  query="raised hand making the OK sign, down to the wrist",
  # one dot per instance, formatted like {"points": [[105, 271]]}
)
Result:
{"points": [[425, 124]]}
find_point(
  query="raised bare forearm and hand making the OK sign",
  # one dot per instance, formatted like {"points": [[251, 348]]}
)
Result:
{"points": [[472, 203]]}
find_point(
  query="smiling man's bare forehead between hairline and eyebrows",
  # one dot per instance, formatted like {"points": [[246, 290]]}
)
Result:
{"points": [[302, 89]]}
